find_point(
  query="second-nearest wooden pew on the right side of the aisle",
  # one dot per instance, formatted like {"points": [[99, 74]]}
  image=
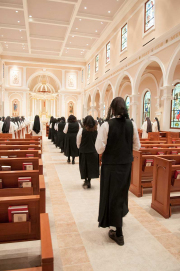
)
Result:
{"points": [[142, 176]]}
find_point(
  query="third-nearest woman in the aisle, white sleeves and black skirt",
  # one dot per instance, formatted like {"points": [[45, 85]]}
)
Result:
{"points": [[71, 129]]}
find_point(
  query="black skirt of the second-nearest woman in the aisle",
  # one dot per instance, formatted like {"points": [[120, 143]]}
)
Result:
{"points": [[89, 165]]}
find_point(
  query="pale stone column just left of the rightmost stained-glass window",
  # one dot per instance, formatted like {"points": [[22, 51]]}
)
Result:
{"points": [[167, 98]]}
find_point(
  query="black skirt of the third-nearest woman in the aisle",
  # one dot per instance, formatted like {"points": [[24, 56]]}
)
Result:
{"points": [[70, 147]]}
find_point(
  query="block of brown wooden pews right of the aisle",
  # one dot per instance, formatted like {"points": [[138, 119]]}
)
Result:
{"points": [[157, 165]]}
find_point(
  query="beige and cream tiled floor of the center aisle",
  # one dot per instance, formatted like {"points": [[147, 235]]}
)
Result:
{"points": [[85, 247]]}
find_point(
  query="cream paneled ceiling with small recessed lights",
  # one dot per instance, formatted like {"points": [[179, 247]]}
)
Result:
{"points": [[63, 29]]}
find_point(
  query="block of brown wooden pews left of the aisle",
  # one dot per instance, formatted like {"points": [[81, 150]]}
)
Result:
{"points": [[16, 155]]}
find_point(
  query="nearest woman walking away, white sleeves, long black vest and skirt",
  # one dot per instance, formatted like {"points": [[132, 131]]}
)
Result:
{"points": [[116, 139]]}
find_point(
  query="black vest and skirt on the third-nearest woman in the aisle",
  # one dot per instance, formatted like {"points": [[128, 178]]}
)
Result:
{"points": [[70, 147]]}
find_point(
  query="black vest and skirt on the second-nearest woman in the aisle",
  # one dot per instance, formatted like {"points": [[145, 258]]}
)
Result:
{"points": [[88, 156]]}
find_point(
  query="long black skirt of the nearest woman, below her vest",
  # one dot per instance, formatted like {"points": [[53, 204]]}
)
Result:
{"points": [[114, 186]]}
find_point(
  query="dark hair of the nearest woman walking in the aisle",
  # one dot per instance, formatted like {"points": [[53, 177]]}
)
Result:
{"points": [[118, 108]]}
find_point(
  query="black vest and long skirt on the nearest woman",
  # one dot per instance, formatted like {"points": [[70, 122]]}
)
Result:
{"points": [[116, 173]]}
